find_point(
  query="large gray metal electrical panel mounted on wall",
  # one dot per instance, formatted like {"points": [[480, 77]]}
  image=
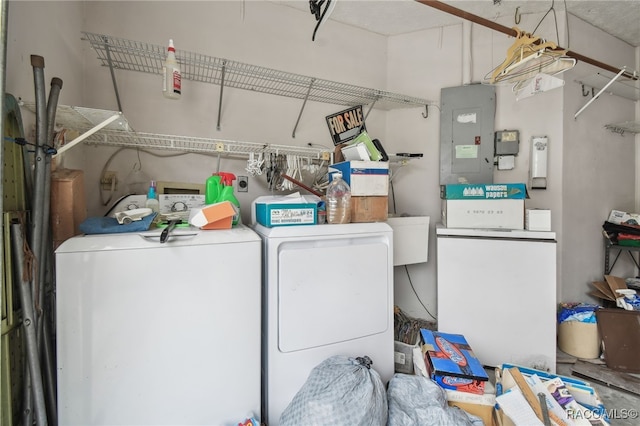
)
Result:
{"points": [[467, 134]]}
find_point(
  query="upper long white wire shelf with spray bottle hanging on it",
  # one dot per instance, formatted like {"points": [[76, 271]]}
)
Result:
{"points": [[131, 55]]}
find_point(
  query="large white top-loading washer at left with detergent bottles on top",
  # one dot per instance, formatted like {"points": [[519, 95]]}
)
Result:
{"points": [[159, 334]]}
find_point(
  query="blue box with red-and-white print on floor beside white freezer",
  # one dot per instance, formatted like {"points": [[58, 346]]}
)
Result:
{"points": [[451, 362]]}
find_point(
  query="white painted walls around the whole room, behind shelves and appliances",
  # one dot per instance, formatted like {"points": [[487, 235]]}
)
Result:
{"points": [[591, 170]]}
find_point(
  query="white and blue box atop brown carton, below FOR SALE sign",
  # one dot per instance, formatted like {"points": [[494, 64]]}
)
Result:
{"points": [[365, 178]]}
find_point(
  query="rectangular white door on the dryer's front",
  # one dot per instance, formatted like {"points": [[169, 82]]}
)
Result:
{"points": [[333, 290]]}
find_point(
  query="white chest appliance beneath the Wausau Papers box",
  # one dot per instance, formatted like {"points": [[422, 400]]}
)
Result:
{"points": [[498, 289]]}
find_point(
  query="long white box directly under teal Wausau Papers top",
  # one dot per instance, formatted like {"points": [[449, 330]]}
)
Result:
{"points": [[483, 214]]}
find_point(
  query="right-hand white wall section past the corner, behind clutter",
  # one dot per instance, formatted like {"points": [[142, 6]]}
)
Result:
{"points": [[598, 165]]}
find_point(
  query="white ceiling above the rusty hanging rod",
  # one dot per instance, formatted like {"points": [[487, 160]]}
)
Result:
{"points": [[620, 18]]}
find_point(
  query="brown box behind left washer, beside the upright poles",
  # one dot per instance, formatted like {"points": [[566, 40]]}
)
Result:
{"points": [[68, 206]]}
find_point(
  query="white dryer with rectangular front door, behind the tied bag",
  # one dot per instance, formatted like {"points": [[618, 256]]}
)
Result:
{"points": [[327, 290]]}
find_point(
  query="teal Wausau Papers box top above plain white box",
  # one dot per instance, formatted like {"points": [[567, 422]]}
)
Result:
{"points": [[483, 191]]}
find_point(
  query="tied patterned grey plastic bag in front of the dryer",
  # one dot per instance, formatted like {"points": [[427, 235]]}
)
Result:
{"points": [[341, 390]]}
